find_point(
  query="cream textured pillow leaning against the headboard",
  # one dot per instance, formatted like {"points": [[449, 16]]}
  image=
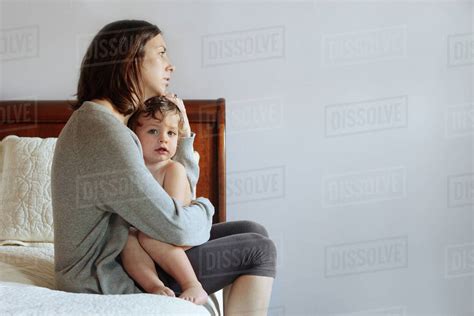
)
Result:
{"points": [[25, 189]]}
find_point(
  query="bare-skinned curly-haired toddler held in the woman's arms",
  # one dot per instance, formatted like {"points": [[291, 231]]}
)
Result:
{"points": [[158, 128]]}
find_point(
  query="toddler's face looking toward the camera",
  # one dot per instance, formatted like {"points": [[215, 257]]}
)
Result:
{"points": [[159, 137]]}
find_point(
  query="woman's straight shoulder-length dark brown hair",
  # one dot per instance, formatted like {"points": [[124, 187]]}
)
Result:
{"points": [[111, 67]]}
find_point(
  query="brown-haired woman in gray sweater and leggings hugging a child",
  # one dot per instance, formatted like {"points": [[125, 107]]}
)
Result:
{"points": [[101, 186]]}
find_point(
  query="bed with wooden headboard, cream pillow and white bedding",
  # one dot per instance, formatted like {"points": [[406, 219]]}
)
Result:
{"points": [[26, 241]]}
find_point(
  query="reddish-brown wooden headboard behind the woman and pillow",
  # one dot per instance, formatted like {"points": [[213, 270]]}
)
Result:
{"points": [[46, 118]]}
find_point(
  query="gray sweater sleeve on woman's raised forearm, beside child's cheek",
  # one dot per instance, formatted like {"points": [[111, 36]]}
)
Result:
{"points": [[185, 156]]}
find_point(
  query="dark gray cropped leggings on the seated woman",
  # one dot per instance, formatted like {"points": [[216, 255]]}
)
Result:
{"points": [[234, 249]]}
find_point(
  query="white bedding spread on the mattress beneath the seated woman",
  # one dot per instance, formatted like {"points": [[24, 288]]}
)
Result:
{"points": [[27, 287]]}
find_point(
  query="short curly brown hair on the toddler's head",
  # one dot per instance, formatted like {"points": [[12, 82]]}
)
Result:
{"points": [[152, 106]]}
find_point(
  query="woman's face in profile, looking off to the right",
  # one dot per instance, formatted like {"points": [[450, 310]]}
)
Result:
{"points": [[156, 68]]}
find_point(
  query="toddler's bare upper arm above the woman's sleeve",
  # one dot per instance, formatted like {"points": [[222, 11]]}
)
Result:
{"points": [[176, 183]]}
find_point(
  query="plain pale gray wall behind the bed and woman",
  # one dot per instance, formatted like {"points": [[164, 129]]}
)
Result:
{"points": [[349, 132]]}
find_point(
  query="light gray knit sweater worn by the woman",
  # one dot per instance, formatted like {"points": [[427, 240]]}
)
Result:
{"points": [[100, 186]]}
